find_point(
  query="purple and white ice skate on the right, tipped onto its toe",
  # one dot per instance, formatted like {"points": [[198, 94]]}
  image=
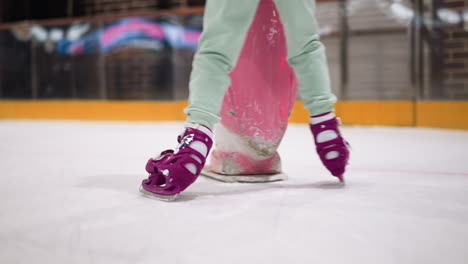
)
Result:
{"points": [[332, 149]]}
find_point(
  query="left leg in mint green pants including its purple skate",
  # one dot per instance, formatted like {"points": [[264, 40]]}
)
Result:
{"points": [[225, 26]]}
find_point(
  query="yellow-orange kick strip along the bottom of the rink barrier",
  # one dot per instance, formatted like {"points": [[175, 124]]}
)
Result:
{"points": [[441, 114]]}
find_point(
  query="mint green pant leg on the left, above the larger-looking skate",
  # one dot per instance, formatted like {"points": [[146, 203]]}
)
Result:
{"points": [[226, 23]]}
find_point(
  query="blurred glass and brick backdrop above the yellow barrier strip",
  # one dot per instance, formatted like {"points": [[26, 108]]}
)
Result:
{"points": [[108, 49]]}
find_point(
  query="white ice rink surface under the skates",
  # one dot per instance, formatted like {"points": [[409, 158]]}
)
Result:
{"points": [[69, 194]]}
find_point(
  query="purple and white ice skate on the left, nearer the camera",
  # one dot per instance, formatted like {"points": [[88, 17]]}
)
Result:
{"points": [[174, 170]]}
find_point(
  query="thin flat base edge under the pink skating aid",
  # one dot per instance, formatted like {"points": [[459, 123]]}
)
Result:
{"points": [[251, 178]]}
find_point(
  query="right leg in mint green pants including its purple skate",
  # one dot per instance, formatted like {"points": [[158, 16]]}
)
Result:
{"points": [[306, 54]]}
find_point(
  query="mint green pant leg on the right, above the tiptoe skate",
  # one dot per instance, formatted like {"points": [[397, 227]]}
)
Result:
{"points": [[306, 54]]}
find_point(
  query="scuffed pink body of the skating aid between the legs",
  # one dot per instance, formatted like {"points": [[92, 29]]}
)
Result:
{"points": [[257, 105]]}
